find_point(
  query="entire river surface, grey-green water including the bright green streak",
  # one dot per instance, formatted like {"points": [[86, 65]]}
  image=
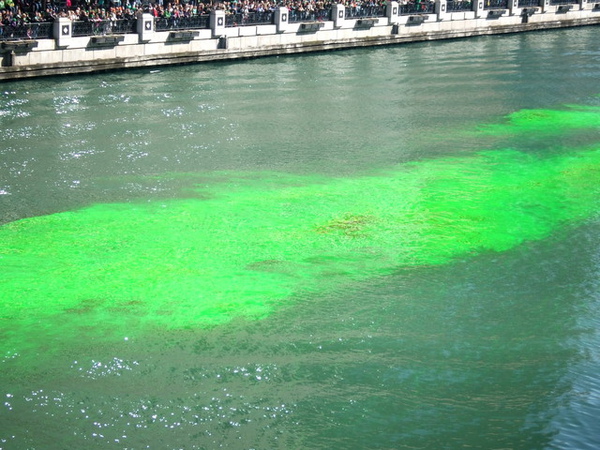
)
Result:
{"points": [[378, 248]]}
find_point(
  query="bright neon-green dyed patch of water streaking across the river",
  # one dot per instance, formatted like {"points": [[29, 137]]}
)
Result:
{"points": [[250, 242]]}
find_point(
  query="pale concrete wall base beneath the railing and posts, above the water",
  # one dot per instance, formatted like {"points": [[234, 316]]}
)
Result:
{"points": [[58, 61]]}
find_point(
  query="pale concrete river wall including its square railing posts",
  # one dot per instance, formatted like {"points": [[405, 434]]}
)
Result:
{"points": [[66, 54]]}
